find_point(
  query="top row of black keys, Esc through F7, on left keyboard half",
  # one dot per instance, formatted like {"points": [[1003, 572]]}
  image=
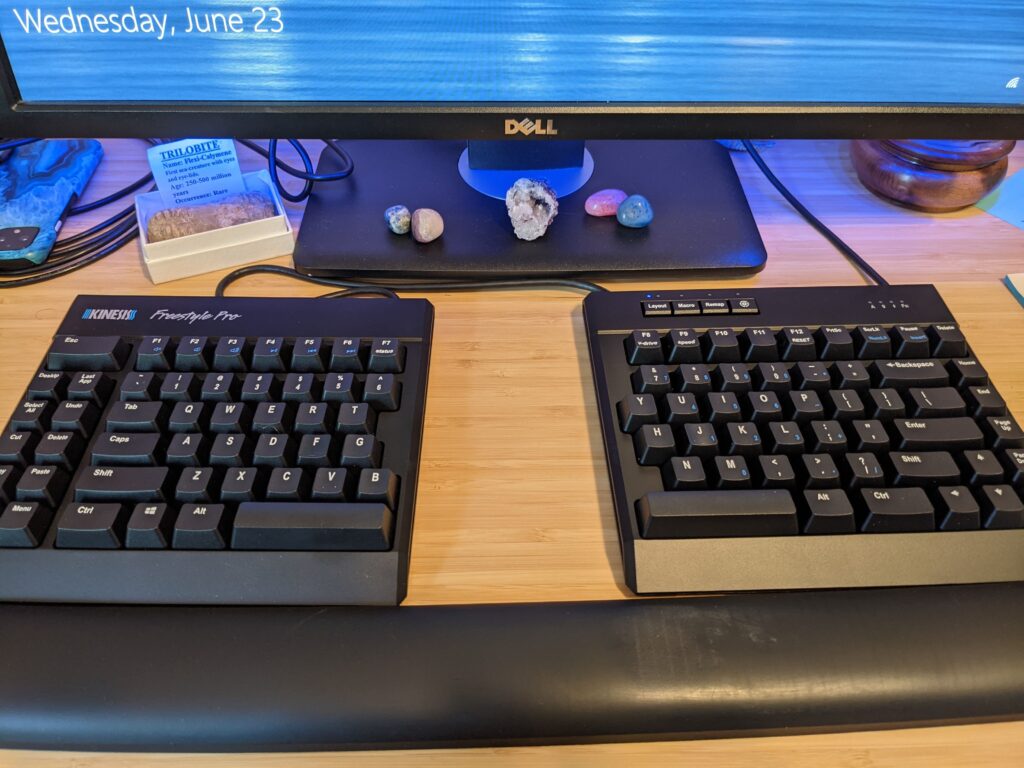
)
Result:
{"points": [[229, 354]]}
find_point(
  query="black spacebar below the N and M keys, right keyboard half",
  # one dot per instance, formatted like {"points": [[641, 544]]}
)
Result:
{"points": [[694, 515]]}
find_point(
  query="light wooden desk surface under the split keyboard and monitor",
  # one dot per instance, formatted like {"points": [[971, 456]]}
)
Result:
{"points": [[515, 502]]}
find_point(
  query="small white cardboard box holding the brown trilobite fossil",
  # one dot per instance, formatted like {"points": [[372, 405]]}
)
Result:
{"points": [[207, 252]]}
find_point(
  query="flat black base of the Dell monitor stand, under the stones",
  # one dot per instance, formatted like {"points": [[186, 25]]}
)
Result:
{"points": [[702, 220]]}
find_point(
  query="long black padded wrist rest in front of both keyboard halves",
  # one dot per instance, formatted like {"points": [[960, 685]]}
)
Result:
{"points": [[247, 679]]}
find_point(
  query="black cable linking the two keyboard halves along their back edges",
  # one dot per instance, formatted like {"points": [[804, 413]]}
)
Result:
{"points": [[393, 288]]}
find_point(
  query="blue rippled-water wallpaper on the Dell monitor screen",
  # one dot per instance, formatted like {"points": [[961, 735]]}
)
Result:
{"points": [[518, 51]]}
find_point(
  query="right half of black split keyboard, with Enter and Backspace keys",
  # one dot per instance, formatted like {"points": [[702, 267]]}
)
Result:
{"points": [[803, 439]]}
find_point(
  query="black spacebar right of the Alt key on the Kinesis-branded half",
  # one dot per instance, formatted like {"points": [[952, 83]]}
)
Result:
{"points": [[295, 526]]}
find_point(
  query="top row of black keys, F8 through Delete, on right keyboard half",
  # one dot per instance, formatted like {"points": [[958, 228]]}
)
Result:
{"points": [[796, 345]]}
